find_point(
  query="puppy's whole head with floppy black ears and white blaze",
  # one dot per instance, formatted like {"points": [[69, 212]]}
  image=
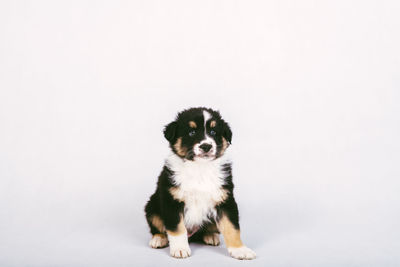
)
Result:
{"points": [[198, 133]]}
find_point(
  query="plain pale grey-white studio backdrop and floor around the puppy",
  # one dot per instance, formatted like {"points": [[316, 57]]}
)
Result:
{"points": [[311, 90]]}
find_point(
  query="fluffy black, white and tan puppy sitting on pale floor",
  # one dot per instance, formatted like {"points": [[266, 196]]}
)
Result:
{"points": [[194, 196]]}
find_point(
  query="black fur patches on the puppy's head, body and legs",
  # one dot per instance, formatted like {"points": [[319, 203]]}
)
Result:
{"points": [[162, 203]]}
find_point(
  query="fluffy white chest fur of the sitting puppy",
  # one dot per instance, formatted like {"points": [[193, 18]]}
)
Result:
{"points": [[199, 186]]}
